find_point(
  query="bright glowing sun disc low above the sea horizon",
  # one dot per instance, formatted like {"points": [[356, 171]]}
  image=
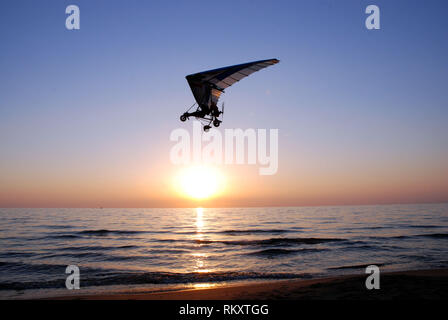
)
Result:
{"points": [[200, 182]]}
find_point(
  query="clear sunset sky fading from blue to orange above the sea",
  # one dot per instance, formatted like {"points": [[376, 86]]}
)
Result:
{"points": [[86, 115]]}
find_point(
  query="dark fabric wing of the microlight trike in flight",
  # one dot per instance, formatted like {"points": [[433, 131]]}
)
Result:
{"points": [[207, 86]]}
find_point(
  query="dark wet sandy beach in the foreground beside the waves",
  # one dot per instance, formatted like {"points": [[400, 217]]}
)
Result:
{"points": [[420, 284]]}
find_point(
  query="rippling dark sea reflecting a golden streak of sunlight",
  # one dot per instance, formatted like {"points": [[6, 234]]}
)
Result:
{"points": [[154, 249]]}
